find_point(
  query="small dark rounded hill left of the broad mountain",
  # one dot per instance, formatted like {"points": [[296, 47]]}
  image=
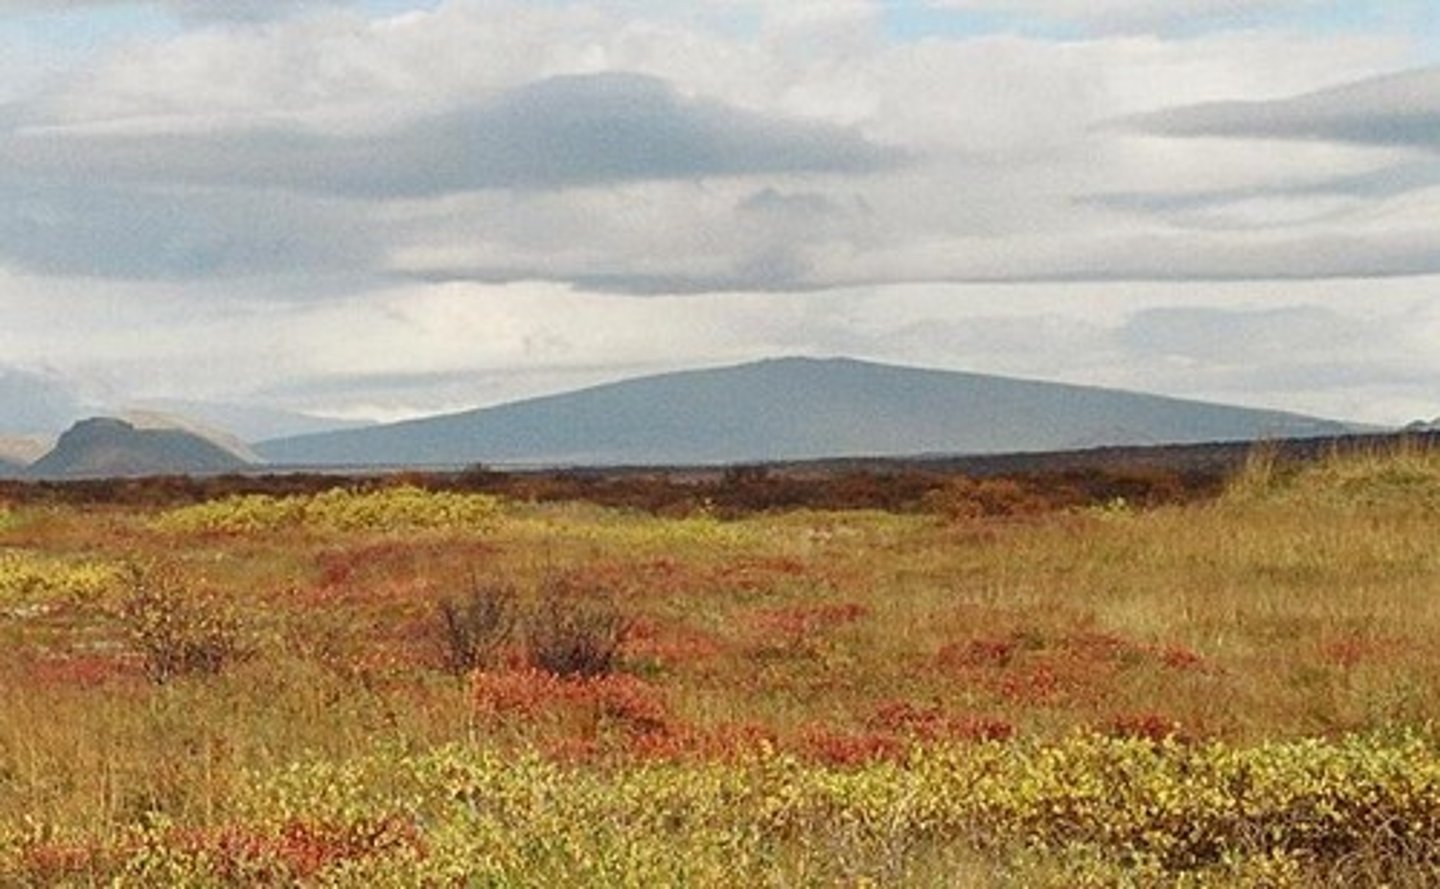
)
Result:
{"points": [[107, 447]]}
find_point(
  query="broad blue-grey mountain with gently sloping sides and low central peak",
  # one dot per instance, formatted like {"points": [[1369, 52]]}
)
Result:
{"points": [[793, 410]]}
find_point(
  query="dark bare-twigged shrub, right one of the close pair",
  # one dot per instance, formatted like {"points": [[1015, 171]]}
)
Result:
{"points": [[575, 630]]}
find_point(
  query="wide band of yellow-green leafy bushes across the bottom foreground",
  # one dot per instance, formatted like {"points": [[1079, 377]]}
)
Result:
{"points": [[1086, 810]]}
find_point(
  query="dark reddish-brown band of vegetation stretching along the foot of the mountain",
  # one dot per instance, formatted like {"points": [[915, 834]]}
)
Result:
{"points": [[1150, 476]]}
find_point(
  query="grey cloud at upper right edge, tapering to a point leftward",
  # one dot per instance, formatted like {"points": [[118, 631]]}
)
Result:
{"points": [[1400, 110]]}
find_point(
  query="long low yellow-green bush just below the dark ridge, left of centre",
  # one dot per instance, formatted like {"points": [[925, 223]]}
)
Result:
{"points": [[391, 509]]}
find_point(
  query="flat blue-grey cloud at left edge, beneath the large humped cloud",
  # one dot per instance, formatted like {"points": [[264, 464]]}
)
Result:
{"points": [[156, 234]]}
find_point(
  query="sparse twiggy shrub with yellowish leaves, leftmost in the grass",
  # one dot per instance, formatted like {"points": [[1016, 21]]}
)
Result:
{"points": [[178, 629]]}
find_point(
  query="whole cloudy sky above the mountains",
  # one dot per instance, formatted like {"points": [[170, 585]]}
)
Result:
{"points": [[390, 208]]}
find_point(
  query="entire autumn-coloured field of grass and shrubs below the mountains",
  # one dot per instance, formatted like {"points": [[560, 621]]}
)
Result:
{"points": [[983, 684]]}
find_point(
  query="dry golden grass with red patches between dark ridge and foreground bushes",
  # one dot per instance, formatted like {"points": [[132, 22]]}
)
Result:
{"points": [[1301, 604]]}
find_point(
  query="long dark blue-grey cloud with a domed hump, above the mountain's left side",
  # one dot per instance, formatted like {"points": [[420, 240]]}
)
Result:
{"points": [[567, 132]]}
